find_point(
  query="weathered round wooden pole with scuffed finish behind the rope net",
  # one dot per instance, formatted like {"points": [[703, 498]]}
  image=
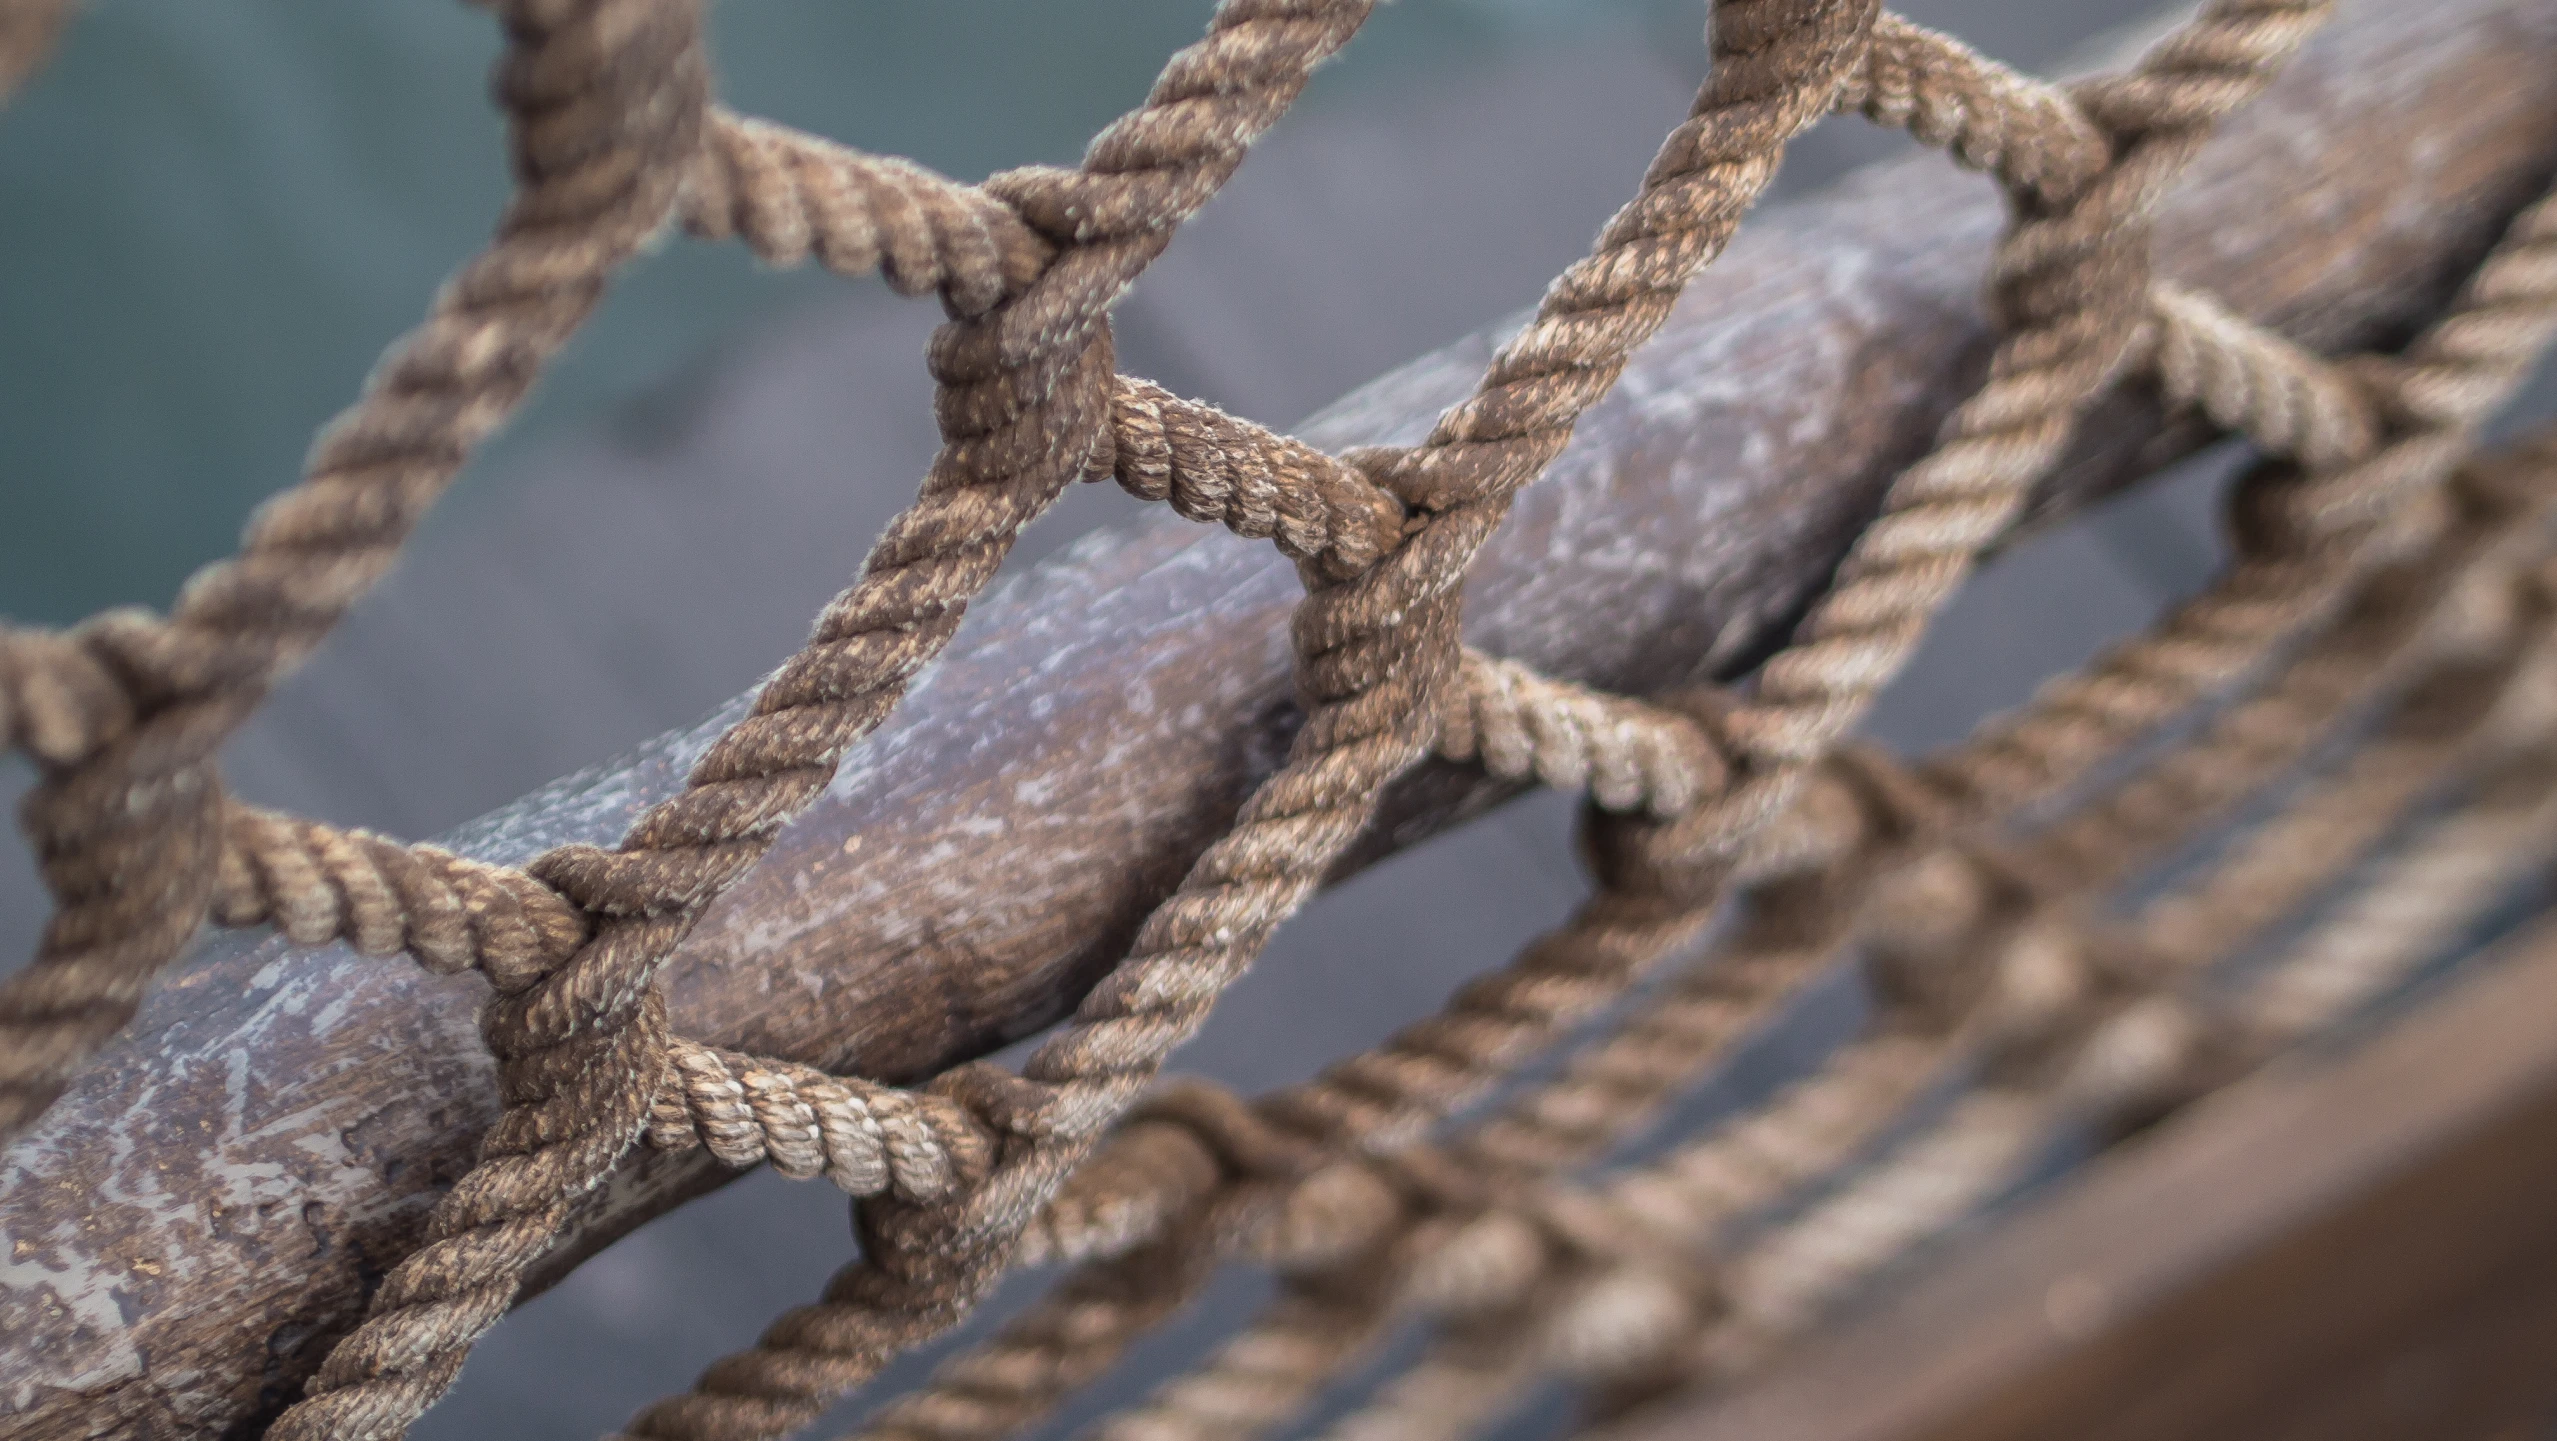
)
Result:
{"points": [[206, 1207]]}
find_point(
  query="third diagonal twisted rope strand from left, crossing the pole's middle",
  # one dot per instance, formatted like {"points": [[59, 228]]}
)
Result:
{"points": [[1372, 658]]}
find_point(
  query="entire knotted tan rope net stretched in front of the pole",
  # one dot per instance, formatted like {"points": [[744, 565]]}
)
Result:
{"points": [[2374, 673]]}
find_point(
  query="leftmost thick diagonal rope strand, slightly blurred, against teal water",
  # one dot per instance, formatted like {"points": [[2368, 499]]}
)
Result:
{"points": [[605, 106]]}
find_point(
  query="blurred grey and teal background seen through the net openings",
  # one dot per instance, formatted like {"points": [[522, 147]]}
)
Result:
{"points": [[216, 213]]}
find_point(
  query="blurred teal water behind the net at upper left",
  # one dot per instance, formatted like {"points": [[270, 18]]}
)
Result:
{"points": [[216, 213]]}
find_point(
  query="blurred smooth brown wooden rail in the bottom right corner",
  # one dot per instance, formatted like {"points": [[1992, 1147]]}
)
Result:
{"points": [[2338, 1251]]}
